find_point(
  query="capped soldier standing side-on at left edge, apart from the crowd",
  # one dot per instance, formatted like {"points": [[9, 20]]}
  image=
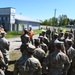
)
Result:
{"points": [[4, 46]]}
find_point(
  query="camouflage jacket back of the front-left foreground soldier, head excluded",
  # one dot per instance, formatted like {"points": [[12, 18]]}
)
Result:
{"points": [[27, 66]]}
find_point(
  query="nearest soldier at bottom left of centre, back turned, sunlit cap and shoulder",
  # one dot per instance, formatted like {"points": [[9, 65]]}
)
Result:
{"points": [[27, 65]]}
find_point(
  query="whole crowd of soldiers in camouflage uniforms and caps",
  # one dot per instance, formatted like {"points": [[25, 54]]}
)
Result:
{"points": [[51, 53]]}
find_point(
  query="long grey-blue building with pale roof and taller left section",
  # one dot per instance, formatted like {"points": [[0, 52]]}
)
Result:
{"points": [[11, 21]]}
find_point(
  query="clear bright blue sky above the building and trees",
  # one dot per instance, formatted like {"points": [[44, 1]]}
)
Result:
{"points": [[41, 9]]}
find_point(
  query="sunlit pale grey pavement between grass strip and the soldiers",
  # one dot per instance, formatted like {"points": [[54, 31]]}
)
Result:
{"points": [[16, 42]]}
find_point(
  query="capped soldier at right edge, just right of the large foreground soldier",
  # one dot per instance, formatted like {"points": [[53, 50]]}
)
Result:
{"points": [[70, 52]]}
